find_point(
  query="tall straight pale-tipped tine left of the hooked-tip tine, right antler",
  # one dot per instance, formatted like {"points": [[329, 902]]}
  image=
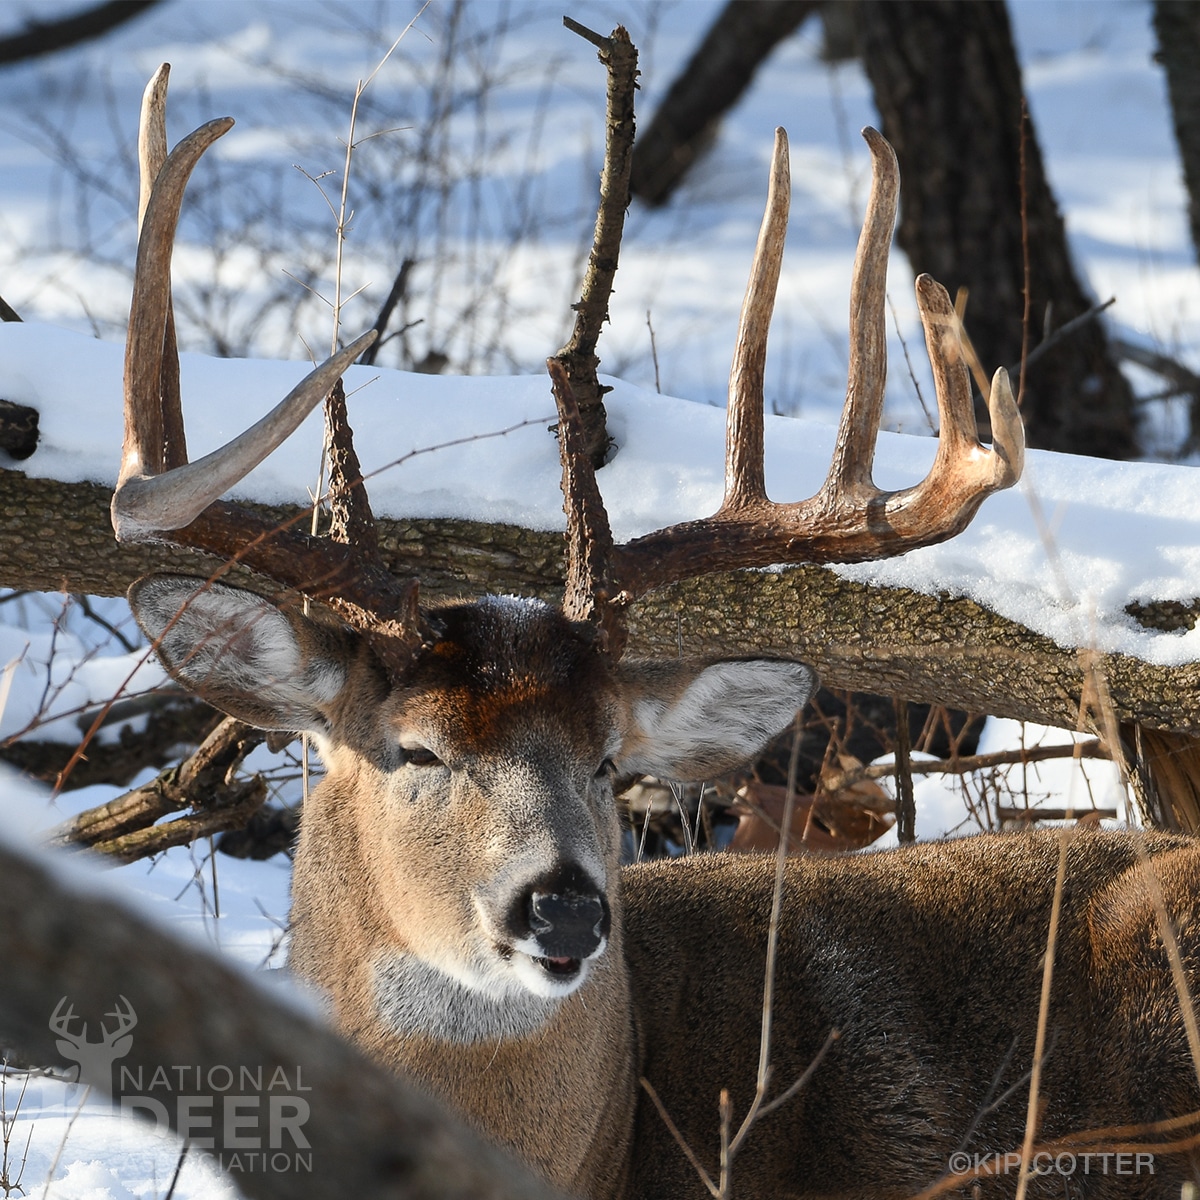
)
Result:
{"points": [[745, 481]]}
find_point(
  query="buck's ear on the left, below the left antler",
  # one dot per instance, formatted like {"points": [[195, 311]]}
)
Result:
{"points": [[271, 668]]}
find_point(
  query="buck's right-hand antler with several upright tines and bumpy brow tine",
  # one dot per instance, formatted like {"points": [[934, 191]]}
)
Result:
{"points": [[850, 519]]}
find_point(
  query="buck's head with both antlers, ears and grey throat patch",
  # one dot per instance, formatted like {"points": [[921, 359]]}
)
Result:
{"points": [[458, 868]]}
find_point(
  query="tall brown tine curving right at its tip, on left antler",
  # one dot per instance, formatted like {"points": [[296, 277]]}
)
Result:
{"points": [[151, 305]]}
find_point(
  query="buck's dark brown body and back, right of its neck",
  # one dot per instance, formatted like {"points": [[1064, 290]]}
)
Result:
{"points": [[928, 962]]}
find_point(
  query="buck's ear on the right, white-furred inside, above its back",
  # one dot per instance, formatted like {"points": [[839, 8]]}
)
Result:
{"points": [[692, 723]]}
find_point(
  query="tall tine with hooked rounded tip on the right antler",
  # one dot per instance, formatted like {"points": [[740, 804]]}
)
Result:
{"points": [[855, 449]]}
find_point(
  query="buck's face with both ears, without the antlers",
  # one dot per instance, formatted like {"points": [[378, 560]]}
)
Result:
{"points": [[475, 797]]}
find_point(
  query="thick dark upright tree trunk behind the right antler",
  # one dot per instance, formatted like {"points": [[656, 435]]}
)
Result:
{"points": [[949, 89]]}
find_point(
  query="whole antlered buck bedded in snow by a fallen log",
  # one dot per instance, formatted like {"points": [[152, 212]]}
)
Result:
{"points": [[458, 896]]}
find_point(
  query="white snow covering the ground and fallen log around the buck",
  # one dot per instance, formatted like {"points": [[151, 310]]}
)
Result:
{"points": [[495, 207]]}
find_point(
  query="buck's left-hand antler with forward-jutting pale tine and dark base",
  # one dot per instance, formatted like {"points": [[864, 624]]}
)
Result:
{"points": [[159, 493]]}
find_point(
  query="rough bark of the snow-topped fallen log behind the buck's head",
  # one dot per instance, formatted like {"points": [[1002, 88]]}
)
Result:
{"points": [[932, 650]]}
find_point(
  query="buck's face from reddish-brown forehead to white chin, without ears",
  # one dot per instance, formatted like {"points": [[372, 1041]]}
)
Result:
{"points": [[500, 836]]}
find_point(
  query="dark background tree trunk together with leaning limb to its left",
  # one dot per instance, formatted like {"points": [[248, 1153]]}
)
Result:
{"points": [[949, 89]]}
